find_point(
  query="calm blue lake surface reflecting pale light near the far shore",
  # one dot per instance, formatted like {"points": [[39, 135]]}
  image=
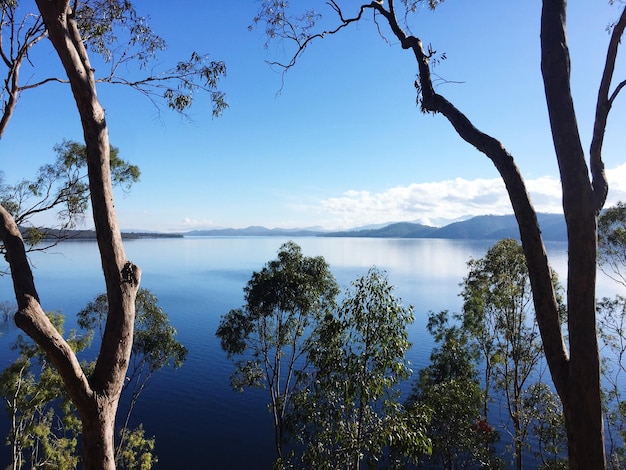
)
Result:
{"points": [[198, 421]]}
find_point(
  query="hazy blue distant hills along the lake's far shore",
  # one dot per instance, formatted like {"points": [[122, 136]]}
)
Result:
{"points": [[484, 227]]}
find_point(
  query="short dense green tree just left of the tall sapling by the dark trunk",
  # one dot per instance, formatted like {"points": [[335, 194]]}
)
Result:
{"points": [[449, 386]]}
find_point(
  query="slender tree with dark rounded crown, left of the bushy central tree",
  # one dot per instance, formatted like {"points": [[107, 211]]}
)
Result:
{"points": [[268, 335]]}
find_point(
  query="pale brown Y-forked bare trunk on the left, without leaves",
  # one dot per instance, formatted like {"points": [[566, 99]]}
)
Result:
{"points": [[95, 398]]}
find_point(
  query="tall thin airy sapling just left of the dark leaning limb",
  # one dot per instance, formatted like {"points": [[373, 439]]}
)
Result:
{"points": [[497, 312]]}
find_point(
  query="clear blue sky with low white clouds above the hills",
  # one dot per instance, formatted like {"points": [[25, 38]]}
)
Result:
{"points": [[343, 144]]}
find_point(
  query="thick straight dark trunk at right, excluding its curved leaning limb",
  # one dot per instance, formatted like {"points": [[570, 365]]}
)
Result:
{"points": [[582, 400]]}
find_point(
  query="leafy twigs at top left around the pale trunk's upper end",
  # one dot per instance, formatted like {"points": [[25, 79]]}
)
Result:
{"points": [[122, 38]]}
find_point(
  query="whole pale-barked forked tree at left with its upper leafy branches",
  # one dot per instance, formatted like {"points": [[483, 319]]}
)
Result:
{"points": [[74, 32]]}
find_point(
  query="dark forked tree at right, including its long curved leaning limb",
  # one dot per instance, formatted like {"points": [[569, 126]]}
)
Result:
{"points": [[576, 375]]}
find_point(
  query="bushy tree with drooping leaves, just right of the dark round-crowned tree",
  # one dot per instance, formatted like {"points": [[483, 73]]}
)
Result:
{"points": [[349, 411]]}
